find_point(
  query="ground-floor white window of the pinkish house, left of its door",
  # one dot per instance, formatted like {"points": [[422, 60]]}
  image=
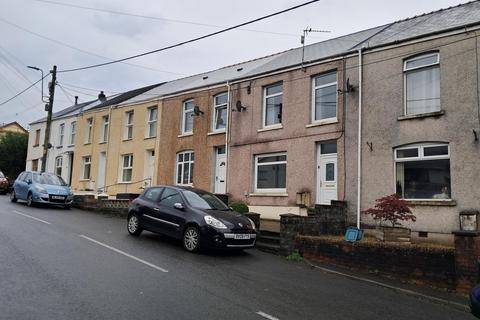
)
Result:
{"points": [[271, 173]]}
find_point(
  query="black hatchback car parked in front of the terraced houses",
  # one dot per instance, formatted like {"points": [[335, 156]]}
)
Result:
{"points": [[197, 217]]}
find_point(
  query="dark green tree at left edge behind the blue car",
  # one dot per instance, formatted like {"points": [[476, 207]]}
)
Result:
{"points": [[13, 153]]}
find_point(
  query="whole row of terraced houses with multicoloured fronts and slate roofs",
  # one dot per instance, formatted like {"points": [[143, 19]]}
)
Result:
{"points": [[392, 109]]}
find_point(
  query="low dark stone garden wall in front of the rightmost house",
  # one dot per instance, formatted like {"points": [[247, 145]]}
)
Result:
{"points": [[424, 264]]}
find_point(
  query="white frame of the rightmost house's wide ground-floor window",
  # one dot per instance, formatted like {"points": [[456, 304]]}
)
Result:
{"points": [[420, 157]]}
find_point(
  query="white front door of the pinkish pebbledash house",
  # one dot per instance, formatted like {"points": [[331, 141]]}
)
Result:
{"points": [[326, 177]]}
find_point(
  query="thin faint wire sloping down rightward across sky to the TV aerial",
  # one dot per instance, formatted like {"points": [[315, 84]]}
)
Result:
{"points": [[123, 13]]}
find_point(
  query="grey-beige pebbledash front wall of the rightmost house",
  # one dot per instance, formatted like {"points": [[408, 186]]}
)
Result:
{"points": [[386, 127]]}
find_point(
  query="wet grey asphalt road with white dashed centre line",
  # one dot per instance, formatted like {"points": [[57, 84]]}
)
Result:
{"points": [[73, 264]]}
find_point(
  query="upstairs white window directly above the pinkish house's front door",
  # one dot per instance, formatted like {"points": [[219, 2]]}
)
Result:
{"points": [[324, 97]]}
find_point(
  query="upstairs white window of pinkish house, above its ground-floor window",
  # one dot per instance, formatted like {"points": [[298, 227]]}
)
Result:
{"points": [[272, 105]]}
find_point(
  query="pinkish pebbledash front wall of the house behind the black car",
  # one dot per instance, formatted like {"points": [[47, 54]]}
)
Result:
{"points": [[297, 137]]}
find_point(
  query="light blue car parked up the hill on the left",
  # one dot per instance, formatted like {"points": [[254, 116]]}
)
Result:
{"points": [[41, 188]]}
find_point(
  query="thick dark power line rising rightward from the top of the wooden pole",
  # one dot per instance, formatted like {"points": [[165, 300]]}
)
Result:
{"points": [[192, 40]]}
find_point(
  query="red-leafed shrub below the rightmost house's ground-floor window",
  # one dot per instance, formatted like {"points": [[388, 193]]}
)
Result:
{"points": [[392, 209]]}
